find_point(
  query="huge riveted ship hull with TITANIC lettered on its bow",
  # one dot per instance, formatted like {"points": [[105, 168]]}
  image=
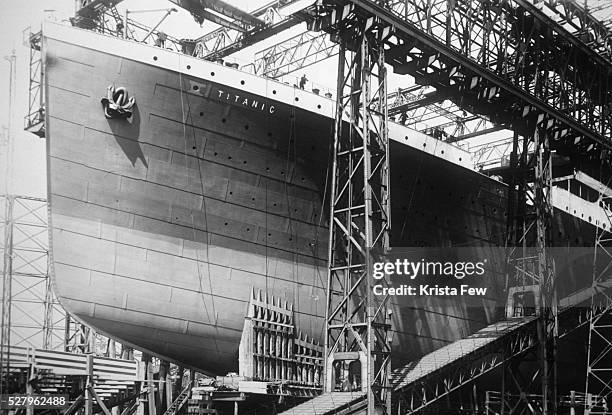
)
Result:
{"points": [[162, 225]]}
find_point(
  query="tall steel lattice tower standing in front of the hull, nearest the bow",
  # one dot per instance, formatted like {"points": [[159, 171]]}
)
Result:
{"points": [[358, 323]]}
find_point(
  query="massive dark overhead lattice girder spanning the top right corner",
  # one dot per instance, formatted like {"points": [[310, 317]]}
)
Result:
{"points": [[497, 60]]}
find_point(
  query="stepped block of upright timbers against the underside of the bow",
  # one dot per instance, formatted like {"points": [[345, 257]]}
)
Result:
{"points": [[273, 351]]}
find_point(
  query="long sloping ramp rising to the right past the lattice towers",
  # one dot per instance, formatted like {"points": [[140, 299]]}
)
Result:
{"points": [[423, 382]]}
